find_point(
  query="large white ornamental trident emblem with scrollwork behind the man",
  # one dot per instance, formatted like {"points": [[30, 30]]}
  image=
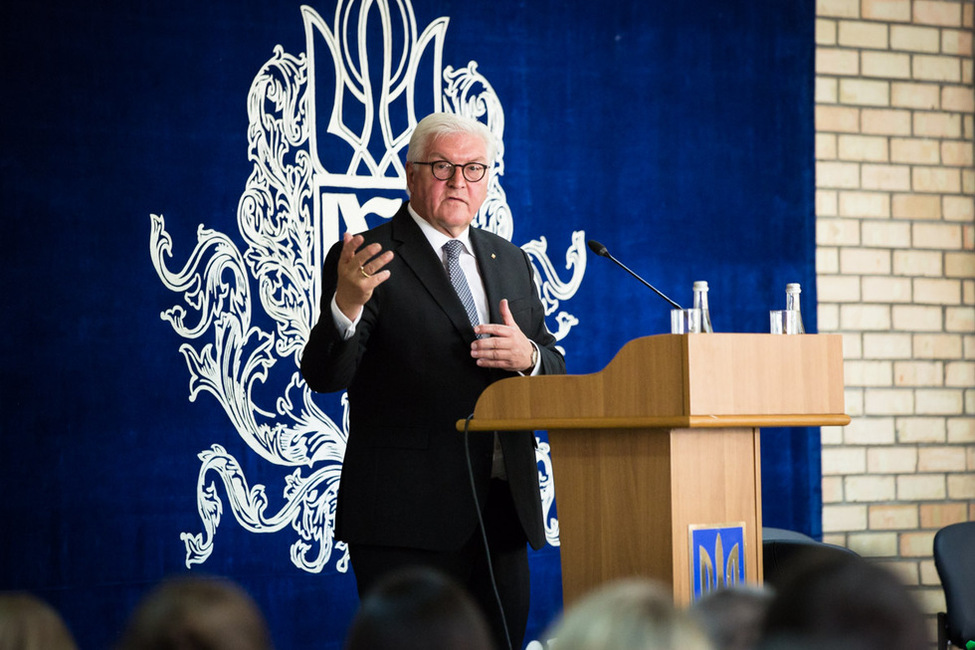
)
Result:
{"points": [[301, 195]]}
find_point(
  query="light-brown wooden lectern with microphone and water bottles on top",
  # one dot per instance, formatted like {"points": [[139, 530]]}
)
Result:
{"points": [[666, 439]]}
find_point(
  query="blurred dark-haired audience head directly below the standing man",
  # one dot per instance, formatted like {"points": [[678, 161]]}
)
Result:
{"points": [[418, 609]]}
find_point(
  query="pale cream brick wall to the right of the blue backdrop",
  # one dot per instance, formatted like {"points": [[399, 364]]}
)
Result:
{"points": [[896, 274]]}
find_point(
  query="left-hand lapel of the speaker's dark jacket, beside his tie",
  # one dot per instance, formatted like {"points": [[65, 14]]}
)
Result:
{"points": [[414, 250]]}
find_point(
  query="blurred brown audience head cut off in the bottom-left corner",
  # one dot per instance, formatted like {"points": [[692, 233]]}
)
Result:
{"points": [[29, 623]]}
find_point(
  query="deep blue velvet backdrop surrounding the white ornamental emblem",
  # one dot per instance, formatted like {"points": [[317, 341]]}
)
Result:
{"points": [[678, 134]]}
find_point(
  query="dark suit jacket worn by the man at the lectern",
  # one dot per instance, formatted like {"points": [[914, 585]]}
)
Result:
{"points": [[410, 377]]}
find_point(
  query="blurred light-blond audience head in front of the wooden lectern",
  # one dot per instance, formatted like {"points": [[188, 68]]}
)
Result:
{"points": [[632, 614]]}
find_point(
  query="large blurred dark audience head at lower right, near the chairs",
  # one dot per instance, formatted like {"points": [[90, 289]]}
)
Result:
{"points": [[838, 601]]}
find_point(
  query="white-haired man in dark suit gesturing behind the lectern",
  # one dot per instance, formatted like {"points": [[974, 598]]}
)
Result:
{"points": [[395, 333]]}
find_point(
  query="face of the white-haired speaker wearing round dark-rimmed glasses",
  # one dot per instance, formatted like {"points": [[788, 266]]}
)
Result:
{"points": [[449, 206]]}
